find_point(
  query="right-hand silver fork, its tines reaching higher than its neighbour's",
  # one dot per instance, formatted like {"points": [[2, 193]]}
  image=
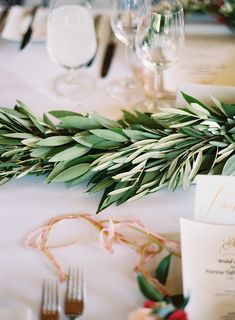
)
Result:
{"points": [[74, 299]]}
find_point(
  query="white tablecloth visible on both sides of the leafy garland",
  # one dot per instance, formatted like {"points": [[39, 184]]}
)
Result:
{"points": [[27, 203]]}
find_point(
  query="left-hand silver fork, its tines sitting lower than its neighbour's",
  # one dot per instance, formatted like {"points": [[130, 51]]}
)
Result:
{"points": [[50, 308]]}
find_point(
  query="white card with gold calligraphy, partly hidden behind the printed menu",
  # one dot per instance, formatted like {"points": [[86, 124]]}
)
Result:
{"points": [[215, 199]]}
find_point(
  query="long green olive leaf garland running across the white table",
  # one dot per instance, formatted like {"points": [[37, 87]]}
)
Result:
{"points": [[126, 159]]}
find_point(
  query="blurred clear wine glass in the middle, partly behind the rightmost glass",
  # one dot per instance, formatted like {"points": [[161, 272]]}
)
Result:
{"points": [[125, 15]]}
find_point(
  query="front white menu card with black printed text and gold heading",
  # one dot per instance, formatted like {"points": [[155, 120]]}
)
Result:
{"points": [[208, 259]]}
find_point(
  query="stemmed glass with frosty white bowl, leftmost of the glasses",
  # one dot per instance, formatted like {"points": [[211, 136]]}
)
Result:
{"points": [[71, 43]]}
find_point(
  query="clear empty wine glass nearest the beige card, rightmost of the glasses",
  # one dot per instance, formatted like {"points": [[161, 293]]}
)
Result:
{"points": [[160, 41]]}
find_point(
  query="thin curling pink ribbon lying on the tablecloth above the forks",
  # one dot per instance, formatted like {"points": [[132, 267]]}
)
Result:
{"points": [[110, 232]]}
